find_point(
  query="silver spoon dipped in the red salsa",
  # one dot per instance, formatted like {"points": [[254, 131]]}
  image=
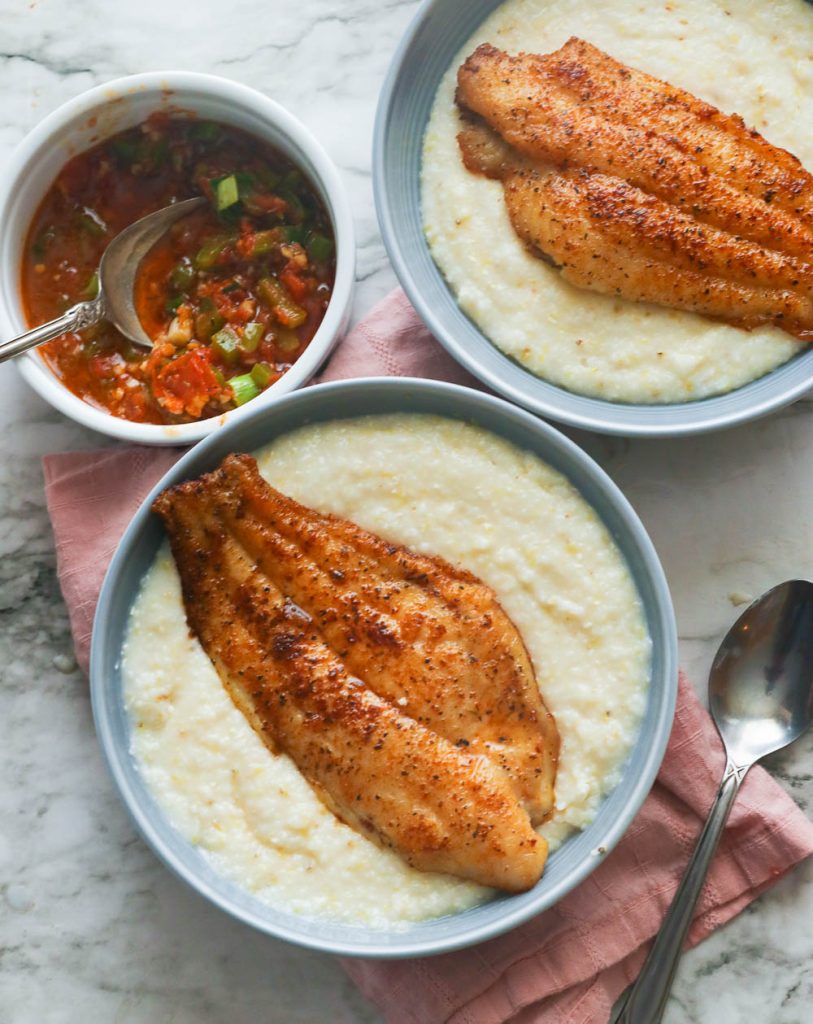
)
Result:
{"points": [[117, 274]]}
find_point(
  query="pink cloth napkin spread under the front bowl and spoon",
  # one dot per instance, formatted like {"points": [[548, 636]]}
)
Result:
{"points": [[569, 965]]}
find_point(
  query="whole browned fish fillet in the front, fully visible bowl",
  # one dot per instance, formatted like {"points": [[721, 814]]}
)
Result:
{"points": [[294, 653]]}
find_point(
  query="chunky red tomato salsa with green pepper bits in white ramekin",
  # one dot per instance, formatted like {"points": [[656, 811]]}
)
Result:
{"points": [[232, 295]]}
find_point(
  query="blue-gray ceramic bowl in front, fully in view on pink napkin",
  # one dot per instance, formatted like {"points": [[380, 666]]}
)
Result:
{"points": [[575, 861]]}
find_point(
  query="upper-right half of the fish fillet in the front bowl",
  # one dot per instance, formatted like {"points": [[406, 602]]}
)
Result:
{"points": [[420, 632]]}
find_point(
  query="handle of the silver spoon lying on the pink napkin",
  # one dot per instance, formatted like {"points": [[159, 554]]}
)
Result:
{"points": [[646, 1001]]}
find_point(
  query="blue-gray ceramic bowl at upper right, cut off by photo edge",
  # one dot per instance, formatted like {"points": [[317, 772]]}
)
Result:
{"points": [[433, 41]]}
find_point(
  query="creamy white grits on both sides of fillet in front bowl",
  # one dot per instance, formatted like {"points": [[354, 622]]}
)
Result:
{"points": [[442, 488]]}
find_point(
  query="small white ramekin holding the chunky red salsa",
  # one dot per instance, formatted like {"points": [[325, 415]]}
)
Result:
{"points": [[101, 113]]}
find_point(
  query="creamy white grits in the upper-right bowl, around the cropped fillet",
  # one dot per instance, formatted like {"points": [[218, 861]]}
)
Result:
{"points": [[748, 57]]}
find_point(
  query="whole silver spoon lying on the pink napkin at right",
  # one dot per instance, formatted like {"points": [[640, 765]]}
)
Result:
{"points": [[761, 699]]}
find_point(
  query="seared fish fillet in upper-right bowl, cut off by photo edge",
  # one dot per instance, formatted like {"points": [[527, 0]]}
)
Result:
{"points": [[636, 189]]}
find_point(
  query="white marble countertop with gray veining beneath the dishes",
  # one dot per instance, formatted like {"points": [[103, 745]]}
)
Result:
{"points": [[93, 928]]}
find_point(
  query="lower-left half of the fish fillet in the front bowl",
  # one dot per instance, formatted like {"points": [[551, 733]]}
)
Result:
{"points": [[393, 779]]}
